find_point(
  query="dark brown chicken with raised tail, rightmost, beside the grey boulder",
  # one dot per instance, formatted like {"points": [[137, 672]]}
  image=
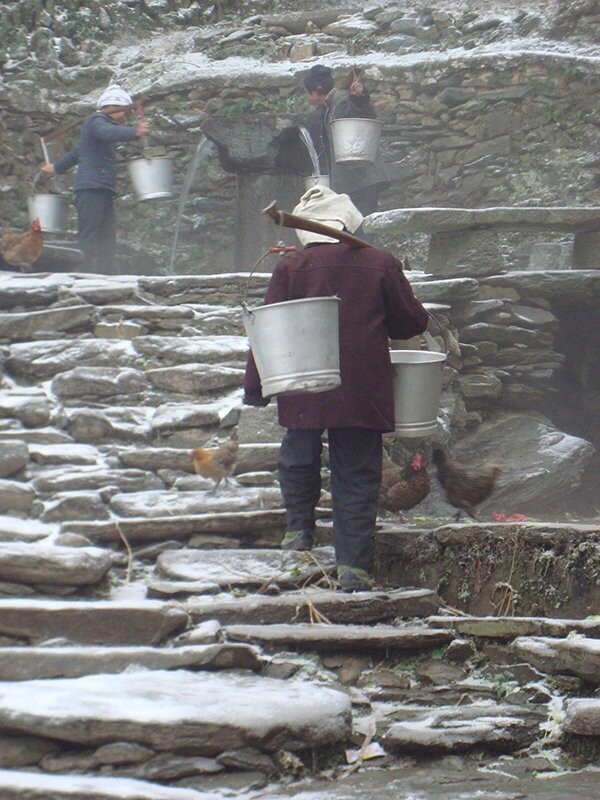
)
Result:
{"points": [[464, 491]]}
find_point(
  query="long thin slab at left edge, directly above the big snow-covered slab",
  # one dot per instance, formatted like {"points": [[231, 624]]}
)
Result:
{"points": [[29, 663]]}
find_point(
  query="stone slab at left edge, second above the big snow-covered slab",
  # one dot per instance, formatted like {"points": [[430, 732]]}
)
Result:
{"points": [[149, 622]]}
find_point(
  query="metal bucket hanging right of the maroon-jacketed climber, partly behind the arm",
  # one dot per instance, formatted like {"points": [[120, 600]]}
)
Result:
{"points": [[417, 390]]}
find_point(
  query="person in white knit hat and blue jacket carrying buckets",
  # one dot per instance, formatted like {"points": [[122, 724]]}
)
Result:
{"points": [[95, 181]]}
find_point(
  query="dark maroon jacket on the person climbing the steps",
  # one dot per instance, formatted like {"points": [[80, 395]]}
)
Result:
{"points": [[377, 303]]}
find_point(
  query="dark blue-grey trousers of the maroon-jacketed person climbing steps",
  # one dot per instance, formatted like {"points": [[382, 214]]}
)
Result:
{"points": [[355, 465]]}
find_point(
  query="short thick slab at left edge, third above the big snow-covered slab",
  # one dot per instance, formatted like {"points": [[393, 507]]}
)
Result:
{"points": [[47, 564]]}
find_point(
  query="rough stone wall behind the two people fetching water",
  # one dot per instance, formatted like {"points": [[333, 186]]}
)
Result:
{"points": [[470, 117]]}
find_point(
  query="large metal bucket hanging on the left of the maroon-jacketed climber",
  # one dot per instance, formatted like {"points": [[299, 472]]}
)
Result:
{"points": [[295, 345]]}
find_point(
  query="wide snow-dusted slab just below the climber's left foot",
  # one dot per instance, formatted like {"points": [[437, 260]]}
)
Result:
{"points": [[246, 567]]}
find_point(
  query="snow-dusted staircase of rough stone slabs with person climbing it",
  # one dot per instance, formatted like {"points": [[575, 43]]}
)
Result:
{"points": [[154, 641]]}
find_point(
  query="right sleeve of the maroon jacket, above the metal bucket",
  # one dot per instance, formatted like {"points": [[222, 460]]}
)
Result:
{"points": [[405, 315]]}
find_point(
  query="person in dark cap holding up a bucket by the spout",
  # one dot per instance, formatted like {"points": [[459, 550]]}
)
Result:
{"points": [[363, 181]]}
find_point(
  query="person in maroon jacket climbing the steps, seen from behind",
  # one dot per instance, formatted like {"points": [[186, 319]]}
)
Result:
{"points": [[376, 303]]}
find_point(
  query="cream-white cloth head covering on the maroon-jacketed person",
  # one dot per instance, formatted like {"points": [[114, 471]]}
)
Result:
{"points": [[322, 204]]}
